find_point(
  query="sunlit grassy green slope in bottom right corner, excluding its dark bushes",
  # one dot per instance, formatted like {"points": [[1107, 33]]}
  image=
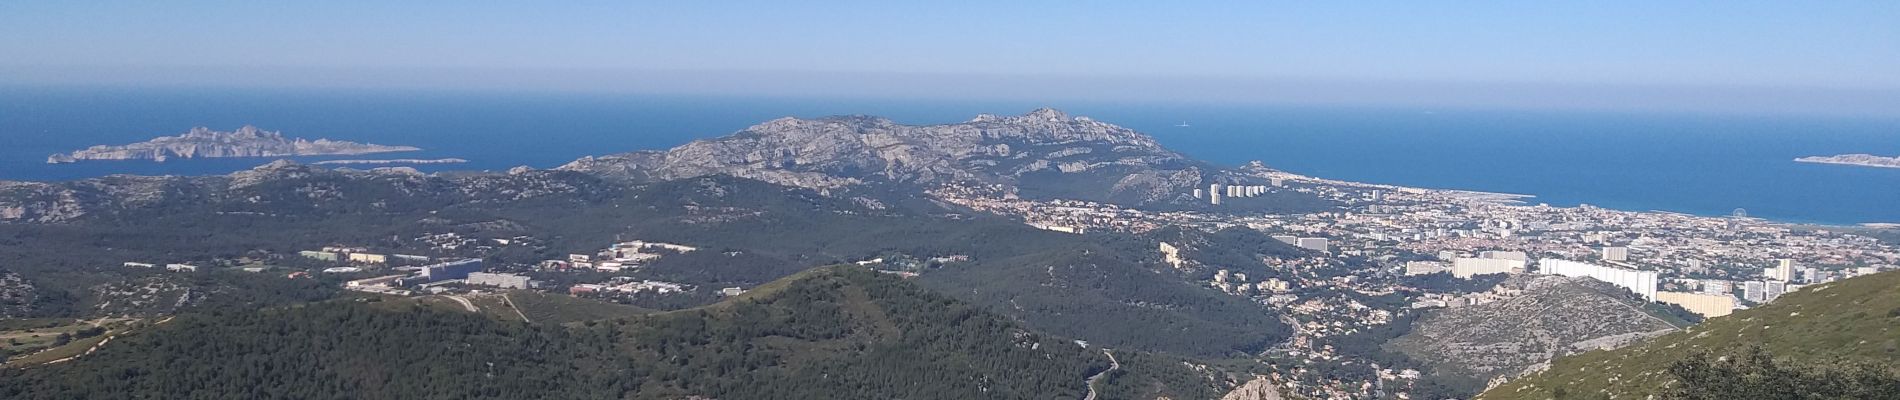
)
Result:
{"points": [[1817, 329]]}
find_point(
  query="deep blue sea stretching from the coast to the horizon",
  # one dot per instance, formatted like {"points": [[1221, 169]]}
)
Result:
{"points": [[1700, 164]]}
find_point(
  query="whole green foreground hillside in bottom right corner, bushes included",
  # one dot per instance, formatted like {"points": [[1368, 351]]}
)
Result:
{"points": [[1836, 340]]}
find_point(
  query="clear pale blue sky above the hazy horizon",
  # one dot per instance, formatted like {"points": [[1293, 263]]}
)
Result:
{"points": [[1690, 56]]}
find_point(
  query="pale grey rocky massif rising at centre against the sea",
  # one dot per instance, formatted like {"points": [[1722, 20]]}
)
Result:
{"points": [[848, 151]]}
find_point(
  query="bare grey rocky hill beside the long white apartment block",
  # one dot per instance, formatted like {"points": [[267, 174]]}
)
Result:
{"points": [[1546, 318]]}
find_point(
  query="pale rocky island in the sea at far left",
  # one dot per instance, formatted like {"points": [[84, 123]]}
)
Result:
{"points": [[244, 143]]}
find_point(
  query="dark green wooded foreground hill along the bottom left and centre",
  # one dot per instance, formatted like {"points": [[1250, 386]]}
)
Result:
{"points": [[835, 333]]}
